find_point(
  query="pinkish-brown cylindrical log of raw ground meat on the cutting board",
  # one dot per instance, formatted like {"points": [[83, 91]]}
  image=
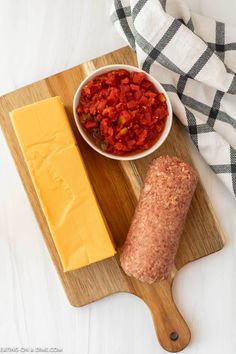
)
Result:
{"points": [[152, 241]]}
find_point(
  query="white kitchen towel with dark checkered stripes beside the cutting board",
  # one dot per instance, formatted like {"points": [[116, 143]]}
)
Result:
{"points": [[194, 58]]}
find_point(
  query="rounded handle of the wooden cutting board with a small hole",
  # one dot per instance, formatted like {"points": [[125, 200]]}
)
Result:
{"points": [[172, 330]]}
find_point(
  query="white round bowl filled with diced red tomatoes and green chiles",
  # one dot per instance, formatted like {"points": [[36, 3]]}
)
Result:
{"points": [[122, 112]]}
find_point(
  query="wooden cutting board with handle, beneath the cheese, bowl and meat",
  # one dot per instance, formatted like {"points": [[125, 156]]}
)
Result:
{"points": [[117, 186]]}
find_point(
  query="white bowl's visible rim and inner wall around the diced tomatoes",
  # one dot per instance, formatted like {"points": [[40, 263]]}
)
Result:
{"points": [[89, 140]]}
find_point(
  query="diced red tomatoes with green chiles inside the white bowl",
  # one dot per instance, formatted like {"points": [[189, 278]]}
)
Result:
{"points": [[122, 111]]}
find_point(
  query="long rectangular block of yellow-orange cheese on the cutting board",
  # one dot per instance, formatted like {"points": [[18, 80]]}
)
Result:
{"points": [[75, 220]]}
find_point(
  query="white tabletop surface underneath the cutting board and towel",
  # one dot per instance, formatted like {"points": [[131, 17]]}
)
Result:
{"points": [[39, 38]]}
